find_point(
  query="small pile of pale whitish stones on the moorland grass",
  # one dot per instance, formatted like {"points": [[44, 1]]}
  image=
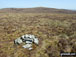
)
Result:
{"points": [[28, 39]]}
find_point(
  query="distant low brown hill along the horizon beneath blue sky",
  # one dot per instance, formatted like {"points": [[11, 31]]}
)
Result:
{"points": [[37, 10]]}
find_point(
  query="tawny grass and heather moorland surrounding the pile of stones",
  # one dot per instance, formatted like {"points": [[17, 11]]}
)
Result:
{"points": [[56, 33]]}
